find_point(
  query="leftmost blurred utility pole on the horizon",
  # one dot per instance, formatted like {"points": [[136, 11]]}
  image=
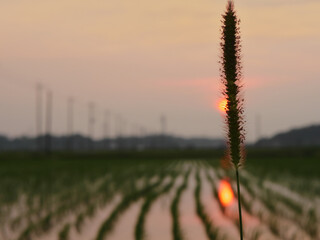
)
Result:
{"points": [[39, 89]]}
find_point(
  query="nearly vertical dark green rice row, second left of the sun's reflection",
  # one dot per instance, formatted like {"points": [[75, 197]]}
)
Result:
{"points": [[176, 229]]}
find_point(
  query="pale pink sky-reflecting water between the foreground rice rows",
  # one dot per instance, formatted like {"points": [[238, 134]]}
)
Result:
{"points": [[158, 223]]}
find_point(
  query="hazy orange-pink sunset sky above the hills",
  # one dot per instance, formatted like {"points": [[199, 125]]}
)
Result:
{"points": [[141, 59]]}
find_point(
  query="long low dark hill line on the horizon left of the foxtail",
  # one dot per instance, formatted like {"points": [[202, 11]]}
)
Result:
{"points": [[82, 143]]}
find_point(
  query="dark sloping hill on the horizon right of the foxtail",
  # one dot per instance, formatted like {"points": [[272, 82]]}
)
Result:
{"points": [[300, 137]]}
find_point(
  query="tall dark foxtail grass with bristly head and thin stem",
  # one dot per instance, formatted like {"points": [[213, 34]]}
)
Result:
{"points": [[231, 76]]}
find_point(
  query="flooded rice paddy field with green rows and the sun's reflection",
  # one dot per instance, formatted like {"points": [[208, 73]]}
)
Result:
{"points": [[91, 198]]}
